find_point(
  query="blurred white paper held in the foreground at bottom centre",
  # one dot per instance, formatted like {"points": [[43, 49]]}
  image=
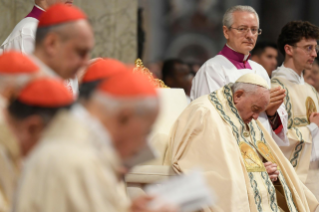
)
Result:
{"points": [[189, 192]]}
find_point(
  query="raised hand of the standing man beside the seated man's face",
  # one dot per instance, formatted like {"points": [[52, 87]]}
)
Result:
{"points": [[277, 96]]}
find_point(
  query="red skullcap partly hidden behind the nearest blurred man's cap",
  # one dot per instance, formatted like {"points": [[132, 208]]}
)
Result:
{"points": [[103, 69]]}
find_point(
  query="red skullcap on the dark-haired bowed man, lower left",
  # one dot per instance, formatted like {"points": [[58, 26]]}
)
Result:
{"points": [[46, 92]]}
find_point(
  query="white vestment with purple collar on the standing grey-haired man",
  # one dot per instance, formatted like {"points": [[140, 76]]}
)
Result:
{"points": [[227, 67]]}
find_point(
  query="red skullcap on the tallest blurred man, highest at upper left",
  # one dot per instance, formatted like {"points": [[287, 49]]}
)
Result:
{"points": [[59, 14]]}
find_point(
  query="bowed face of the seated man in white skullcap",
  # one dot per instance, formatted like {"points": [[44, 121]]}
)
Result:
{"points": [[251, 104]]}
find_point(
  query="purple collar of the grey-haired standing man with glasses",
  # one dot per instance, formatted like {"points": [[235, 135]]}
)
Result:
{"points": [[240, 61]]}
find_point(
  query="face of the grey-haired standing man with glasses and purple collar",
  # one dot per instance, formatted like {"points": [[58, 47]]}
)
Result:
{"points": [[238, 36]]}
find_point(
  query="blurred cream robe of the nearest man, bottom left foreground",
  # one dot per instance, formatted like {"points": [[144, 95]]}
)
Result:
{"points": [[73, 168]]}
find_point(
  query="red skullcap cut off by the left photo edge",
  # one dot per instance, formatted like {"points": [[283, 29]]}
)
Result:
{"points": [[13, 62]]}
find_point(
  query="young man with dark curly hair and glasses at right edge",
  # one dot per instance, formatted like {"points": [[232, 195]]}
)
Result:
{"points": [[298, 43]]}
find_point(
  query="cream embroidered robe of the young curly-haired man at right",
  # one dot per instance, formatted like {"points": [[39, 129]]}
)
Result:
{"points": [[300, 102]]}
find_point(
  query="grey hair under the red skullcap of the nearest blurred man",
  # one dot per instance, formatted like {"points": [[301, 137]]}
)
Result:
{"points": [[141, 106]]}
